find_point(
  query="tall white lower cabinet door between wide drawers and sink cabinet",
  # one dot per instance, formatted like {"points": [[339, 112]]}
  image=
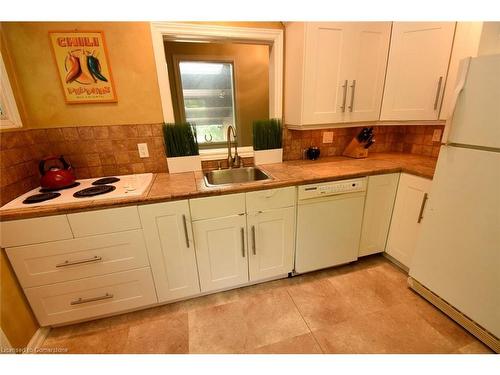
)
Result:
{"points": [[167, 230]]}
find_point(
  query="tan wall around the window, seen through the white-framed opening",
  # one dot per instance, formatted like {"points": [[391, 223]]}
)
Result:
{"points": [[251, 67]]}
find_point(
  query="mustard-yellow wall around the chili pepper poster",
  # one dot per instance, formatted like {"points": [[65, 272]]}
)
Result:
{"points": [[131, 58]]}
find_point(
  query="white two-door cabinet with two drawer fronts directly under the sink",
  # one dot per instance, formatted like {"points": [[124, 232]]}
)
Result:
{"points": [[256, 242]]}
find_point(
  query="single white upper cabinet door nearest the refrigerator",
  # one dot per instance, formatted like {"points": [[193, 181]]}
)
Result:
{"points": [[416, 71]]}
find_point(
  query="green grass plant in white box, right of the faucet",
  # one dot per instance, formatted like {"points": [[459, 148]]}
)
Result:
{"points": [[267, 141]]}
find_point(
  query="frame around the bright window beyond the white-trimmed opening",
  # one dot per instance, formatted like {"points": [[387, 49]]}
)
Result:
{"points": [[180, 97]]}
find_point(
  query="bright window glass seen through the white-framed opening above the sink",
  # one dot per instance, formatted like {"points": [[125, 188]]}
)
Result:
{"points": [[208, 99]]}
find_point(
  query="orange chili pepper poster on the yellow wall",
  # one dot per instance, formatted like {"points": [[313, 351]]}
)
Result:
{"points": [[83, 66]]}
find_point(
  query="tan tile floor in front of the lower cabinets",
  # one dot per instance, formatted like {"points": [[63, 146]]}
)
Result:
{"points": [[364, 307]]}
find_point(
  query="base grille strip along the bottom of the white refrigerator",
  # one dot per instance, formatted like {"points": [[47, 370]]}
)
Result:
{"points": [[475, 329]]}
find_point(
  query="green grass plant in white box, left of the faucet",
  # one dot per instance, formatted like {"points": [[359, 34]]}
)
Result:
{"points": [[181, 147]]}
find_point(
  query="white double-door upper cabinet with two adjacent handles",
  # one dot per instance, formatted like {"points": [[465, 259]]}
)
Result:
{"points": [[334, 71]]}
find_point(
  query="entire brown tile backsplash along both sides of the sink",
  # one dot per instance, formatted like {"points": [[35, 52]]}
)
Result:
{"points": [[96, 151]]}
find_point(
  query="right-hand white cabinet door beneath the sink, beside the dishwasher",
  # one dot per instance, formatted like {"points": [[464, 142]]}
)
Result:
{"points": [[271, 242]]}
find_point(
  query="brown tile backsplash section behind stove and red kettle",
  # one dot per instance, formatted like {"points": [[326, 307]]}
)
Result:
{"points": [[93, 151]]}
